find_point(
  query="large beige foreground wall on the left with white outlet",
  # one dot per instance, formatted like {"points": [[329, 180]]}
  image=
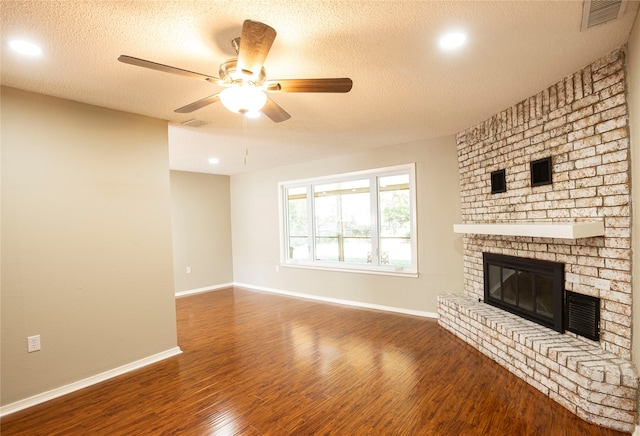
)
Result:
{"points": [[86, 241]]}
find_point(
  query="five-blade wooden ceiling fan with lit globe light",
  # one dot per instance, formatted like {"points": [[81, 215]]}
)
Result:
{"points": [[244, 78]]}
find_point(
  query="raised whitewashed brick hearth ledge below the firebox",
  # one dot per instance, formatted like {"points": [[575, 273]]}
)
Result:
{"points": [[598, 386]]}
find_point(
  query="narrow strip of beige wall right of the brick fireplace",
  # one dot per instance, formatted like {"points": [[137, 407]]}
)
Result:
{"points": [[633, 95]]}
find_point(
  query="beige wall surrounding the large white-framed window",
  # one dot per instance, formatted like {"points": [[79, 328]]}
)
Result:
{"points": [[255, 232]]}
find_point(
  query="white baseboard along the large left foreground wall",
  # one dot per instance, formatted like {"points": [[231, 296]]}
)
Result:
{"points": [[80, 384]]}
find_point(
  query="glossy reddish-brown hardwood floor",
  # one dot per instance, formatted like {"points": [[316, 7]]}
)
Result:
{"points": [[261, 364]]}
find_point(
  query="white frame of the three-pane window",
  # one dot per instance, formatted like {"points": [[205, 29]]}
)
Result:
{"points": [[373, 268]]}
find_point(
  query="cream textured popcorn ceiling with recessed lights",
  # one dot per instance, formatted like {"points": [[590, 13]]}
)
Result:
{"points": [[405, 88]]}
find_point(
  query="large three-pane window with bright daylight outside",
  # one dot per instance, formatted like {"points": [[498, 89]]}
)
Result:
{"points": [[361, 221]]}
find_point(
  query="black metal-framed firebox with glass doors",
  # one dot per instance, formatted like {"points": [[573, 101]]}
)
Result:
{"points": [[532, 289]]}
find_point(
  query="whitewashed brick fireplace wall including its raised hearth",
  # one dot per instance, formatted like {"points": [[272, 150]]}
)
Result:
{"points": [[581, 124]]}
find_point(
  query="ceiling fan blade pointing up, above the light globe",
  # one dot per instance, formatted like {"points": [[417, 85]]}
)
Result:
{"points": [[255, 43]]}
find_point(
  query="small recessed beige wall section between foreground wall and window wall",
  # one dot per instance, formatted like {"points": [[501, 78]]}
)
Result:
{"points": [[201, 222]]}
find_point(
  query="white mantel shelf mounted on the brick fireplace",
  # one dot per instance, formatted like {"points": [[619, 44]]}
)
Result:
{"points": [[566, 230]]}
